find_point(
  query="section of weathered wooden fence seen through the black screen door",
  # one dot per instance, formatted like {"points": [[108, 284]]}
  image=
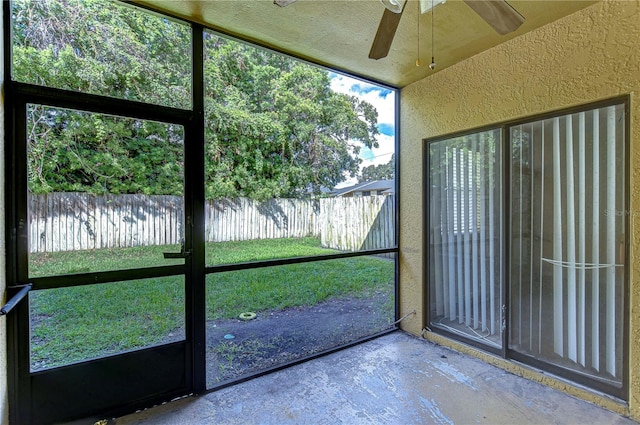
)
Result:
{"points": [[77, 221]]}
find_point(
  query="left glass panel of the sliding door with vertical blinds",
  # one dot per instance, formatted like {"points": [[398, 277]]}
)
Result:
{"points": [[465, 246]]}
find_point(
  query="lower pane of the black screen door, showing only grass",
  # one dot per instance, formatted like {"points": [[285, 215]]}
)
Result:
{"points": [[79, 323]]}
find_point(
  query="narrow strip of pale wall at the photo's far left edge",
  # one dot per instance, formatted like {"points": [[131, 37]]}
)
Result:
{"points": [[3, 348]]}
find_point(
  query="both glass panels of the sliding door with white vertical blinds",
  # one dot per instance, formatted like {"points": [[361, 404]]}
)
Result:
{"points": [[561, 297]]}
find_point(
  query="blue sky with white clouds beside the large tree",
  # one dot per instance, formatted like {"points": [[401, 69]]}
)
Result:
{"points": [[384, 101]]}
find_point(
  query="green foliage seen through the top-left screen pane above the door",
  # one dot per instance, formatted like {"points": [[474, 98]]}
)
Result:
{"points": [[104, 48]]}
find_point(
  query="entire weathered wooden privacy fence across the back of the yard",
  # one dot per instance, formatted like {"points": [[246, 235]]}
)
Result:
{"points": [[78, 221]]}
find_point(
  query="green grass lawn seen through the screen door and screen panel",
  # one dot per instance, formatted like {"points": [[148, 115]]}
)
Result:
{"points": [[72, 324]]}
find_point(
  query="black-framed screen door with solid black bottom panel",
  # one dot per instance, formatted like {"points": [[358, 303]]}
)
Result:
{"points": [[104, 247]]}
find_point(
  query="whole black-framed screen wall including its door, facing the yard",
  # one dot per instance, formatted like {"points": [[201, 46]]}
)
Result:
{"points": [[174, 215]]}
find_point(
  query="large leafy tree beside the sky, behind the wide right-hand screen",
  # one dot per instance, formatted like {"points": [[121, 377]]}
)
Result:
{"points": [[274, 127]]}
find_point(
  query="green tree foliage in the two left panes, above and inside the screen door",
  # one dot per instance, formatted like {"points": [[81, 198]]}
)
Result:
{"points": [[92, 46]]}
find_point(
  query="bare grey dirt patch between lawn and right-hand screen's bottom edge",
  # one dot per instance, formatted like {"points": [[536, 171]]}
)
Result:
{"points": [[236, 347]]}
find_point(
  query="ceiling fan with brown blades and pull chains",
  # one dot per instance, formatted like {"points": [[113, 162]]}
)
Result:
{"points": [[499, 14]]}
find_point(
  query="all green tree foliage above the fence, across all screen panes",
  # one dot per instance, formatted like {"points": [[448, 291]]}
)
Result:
{"points": [[273, 128]]}
